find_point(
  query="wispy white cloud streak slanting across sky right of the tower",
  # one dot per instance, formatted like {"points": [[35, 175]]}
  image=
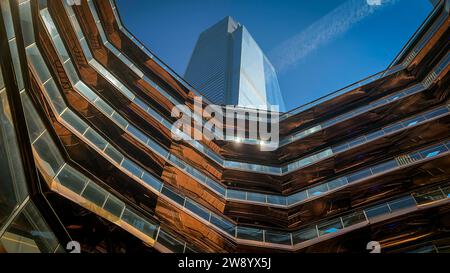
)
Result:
{"points": [[330, 26]]}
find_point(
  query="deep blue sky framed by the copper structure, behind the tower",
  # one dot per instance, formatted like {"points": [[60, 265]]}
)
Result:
{"points": [[316, 46]]}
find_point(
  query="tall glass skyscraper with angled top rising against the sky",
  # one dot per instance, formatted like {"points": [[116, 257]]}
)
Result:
{"points": [[229, 68]]}
